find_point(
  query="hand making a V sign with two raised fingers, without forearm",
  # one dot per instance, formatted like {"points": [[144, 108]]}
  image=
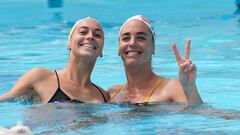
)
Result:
{"points": [[187, 70]]}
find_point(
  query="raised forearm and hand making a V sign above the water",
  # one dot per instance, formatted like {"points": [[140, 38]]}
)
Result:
{"points": [[187, 76]]}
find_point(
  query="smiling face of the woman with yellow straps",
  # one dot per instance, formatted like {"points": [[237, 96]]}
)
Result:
{"points": [[136, 43]]}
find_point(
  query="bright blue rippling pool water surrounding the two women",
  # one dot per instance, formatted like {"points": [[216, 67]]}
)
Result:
{"points": [[33, 33]]}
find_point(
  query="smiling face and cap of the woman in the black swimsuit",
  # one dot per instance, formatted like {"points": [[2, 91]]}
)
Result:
{"points": [[87, 39]]}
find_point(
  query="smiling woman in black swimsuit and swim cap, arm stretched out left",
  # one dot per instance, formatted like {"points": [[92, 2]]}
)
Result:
{"points": [[72, 83]]}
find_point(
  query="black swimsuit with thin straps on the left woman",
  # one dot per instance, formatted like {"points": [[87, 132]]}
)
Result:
{"points": [[60, 96]]}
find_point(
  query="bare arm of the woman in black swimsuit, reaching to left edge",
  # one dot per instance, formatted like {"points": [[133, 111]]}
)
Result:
{"points": [[25, 84]]}
